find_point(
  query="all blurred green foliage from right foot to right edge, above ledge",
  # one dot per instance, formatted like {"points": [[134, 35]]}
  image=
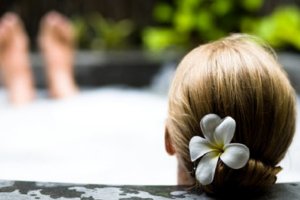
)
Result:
{"points": [[181, 24]]}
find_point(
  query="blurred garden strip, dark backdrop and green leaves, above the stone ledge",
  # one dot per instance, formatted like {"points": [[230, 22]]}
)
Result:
{"points": [[162, 24]]}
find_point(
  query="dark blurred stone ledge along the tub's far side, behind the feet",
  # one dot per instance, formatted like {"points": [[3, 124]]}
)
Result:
{"points": [[136, 68]]}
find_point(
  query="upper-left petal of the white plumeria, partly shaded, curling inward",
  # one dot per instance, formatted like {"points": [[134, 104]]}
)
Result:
{"points": [[208, 125]]}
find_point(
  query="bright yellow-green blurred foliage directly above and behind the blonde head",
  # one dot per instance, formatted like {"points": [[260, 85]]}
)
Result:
{"points": [[186, 23]]}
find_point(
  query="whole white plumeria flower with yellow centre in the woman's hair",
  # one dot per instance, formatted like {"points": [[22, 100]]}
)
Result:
{"points": [[216, 145]]}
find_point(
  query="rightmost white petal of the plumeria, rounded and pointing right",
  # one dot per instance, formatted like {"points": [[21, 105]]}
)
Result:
{"points": [[235, 155]]}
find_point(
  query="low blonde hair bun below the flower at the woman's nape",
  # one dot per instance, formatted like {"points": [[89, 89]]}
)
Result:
{"points": [[254, 177]]}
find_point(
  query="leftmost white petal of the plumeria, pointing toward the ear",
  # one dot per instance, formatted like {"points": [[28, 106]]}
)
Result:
{"points": [[198, 147]]}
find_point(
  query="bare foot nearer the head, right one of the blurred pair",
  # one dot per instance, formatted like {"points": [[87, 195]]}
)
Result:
{"points": [[56, 40]]}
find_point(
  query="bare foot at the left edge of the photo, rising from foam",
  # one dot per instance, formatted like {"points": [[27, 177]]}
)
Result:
{"points": [[14, 60]]}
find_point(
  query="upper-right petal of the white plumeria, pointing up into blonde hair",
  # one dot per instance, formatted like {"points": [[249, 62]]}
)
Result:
{"points": [[225, 131]]}
